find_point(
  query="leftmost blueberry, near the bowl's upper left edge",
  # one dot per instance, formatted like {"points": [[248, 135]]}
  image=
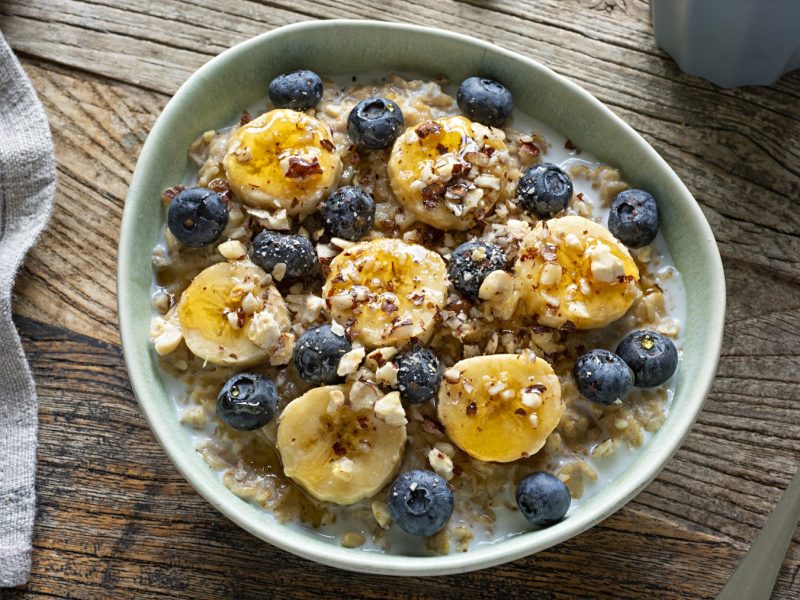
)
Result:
{"points": [[197, 216]]}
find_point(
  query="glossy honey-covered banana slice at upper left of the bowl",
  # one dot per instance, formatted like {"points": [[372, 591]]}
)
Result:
{"points": [[282, 159]]}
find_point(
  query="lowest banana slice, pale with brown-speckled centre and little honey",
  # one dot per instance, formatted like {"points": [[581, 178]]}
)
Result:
{"points": [[335, 453]]}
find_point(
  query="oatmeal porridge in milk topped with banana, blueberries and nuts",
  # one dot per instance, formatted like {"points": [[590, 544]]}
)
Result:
{"points": [[398, 316]]}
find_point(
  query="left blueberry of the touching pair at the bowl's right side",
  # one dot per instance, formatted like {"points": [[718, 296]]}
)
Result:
{"points": [[602, 376]]}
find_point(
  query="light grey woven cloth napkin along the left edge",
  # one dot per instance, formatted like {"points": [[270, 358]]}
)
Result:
{"points": [[27, 187]]}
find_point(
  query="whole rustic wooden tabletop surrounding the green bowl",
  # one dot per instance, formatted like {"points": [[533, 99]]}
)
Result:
{"points": [[115, 518]]}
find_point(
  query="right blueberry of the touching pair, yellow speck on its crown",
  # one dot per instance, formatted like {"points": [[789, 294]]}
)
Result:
{"points": [[651, 356]]}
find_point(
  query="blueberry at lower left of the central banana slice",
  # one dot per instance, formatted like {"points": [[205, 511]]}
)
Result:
{"points": [[317, 354]]}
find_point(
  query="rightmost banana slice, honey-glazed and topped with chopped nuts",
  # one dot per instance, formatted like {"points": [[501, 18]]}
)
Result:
{"points": [[573, 269]]}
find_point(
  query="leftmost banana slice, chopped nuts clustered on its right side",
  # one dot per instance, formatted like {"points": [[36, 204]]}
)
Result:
{"points": [[228, 317]]}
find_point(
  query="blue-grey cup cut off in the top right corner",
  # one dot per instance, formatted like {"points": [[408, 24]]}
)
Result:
{"points": [[730, 42]]}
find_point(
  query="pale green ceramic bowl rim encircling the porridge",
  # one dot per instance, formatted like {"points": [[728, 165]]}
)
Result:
{"points": [[305, 545]]}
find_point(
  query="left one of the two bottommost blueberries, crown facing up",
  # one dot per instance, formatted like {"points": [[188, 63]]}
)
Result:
{"points": [[420, 502]]}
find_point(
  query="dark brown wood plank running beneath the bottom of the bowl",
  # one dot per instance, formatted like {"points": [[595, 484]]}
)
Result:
{"points": [[116, 519]]}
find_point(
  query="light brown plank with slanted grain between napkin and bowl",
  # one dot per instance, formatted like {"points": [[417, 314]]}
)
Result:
{"points": [[98, 128]]}
